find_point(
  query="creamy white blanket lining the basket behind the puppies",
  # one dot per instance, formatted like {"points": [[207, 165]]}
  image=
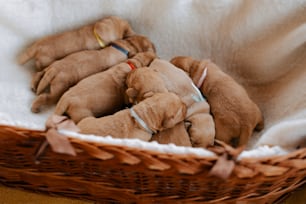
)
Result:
{"points": [[262, 44]]}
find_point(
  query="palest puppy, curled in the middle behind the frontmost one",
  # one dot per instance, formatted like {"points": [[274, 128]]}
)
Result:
{"points": [[162, 76]]}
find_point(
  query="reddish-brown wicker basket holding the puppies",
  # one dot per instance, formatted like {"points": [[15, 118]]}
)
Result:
{"points": [[122, 174]]}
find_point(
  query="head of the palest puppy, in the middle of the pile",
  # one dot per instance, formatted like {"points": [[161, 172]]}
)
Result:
{"points": [[143, 83]]}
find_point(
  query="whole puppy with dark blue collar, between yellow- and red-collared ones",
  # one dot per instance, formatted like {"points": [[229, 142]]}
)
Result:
{"points": [[53, 81]]}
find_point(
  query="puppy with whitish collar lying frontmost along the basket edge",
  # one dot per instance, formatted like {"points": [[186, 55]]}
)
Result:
{"points": [[156, 113]]}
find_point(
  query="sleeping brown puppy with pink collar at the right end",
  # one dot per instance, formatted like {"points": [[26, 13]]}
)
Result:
{"points": [[235, 114]]}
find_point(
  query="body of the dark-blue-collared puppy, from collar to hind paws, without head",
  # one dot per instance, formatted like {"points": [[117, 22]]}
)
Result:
{"points": [[62, 74]]}
